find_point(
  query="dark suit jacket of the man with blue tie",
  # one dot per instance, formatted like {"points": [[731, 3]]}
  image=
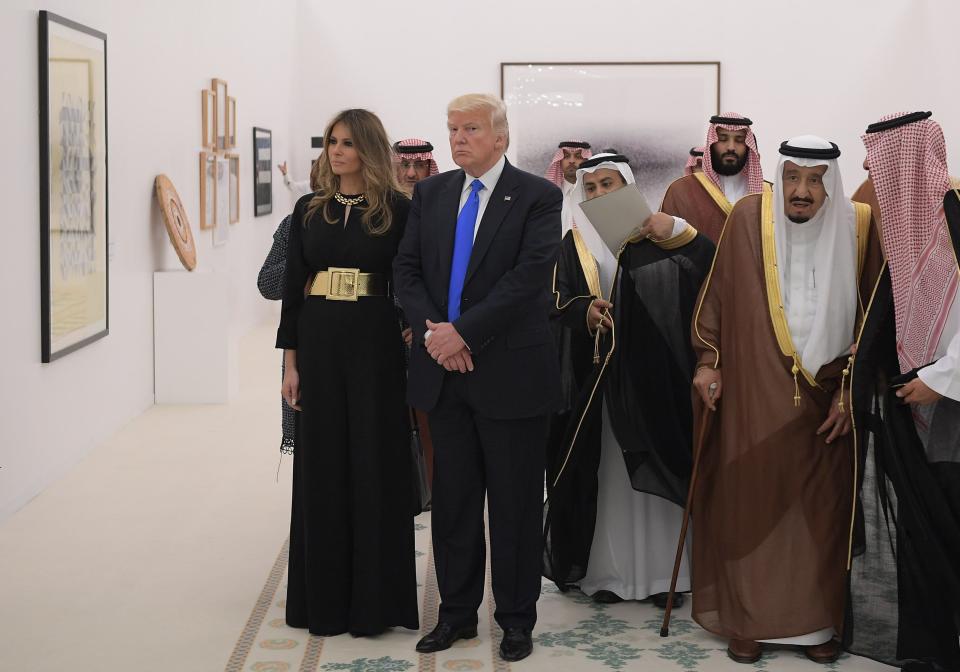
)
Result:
{"points": [[506, 294]]}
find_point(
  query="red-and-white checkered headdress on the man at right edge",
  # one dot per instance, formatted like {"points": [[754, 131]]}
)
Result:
{"points": [[908, 166]]}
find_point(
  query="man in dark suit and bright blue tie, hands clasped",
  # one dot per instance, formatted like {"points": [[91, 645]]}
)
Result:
{"points": [[473, 275]]}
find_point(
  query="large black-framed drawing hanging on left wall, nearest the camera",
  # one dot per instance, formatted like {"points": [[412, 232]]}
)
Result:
{"points": [[74, 273]]}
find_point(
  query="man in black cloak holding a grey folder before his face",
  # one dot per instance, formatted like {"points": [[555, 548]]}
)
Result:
{"points": [[619, 455]]}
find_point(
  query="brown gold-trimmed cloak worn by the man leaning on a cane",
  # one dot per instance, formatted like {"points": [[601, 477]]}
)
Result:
{"points": [[774, 502]]}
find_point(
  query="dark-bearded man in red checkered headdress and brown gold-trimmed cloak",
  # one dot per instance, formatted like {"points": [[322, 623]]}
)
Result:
{"points": [[731, 170]]}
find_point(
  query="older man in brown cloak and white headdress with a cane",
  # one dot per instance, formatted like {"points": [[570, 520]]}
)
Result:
{"points": [[773, 330]]}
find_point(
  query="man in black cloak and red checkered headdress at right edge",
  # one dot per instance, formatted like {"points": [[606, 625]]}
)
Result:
{"points": [[906, 584]]}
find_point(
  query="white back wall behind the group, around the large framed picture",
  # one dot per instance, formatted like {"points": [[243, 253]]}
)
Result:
{"points": [[824, 66]]}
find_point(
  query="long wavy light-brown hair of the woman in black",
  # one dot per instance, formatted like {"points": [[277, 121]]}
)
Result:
{"points": [[376, 158]]}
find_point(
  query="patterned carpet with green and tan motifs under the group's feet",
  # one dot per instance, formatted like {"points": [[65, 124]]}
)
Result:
{"points": [[574, 634]]}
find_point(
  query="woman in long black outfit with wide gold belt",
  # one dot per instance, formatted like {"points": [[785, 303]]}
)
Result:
{"points": [[351, 566]]}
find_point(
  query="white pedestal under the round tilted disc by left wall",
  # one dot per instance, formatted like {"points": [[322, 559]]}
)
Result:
{"points": [[194, 360]]}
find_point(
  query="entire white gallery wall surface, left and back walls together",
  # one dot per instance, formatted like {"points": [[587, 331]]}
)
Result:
{"points": [[826, 67]]}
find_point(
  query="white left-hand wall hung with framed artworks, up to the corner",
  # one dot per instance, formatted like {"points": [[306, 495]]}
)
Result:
{"points": [[160, 56]]}
